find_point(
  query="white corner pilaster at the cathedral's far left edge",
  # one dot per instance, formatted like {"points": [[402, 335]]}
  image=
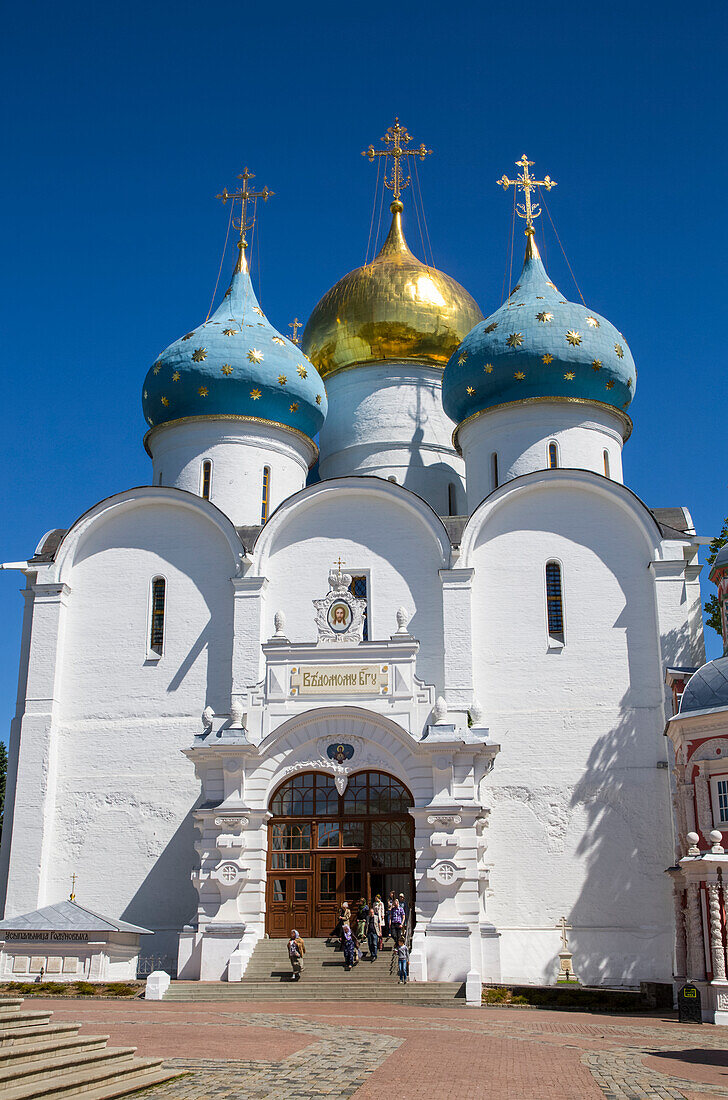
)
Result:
{"points": [[36, 784]]}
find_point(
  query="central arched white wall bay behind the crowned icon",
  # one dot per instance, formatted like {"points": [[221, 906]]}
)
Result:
{"points": [[373, 532]]}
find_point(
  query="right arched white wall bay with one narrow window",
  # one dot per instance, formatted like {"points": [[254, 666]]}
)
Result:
{"points": [[580, 822]]}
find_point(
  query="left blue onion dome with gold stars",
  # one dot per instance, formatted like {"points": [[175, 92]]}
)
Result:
{"points": [[236, 365]]}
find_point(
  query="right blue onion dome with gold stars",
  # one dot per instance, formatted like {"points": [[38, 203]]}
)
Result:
{"points": [[537, 345]]}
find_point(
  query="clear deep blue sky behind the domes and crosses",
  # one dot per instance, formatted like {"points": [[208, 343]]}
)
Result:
{"points": [[123, 123]]}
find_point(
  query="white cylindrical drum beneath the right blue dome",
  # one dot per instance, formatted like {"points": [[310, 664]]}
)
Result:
{"points": [[521, 437]]}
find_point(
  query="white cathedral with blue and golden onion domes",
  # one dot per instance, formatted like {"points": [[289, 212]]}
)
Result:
{"points": [[387, 618]]}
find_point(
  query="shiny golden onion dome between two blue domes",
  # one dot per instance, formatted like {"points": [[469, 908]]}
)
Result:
{"points": [[394, 309]]}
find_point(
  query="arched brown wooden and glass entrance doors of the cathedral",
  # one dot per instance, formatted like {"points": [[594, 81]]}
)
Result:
{"points": [[325, 848]]}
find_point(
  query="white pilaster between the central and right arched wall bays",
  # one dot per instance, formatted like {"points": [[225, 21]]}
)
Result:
{"points": [[458, 630]]}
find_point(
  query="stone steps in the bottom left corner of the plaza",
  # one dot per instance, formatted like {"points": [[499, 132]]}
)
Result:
{"points": [[39, 1060]]}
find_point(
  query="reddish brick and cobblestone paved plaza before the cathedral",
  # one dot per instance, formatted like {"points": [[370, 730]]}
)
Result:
{"points": [[264, 1052]]}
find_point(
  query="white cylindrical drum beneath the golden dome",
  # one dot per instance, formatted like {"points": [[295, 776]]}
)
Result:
{"points": [[388, 421]]}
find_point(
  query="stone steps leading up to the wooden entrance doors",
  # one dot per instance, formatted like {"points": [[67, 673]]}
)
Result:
{"points": [[269, 978]]}
